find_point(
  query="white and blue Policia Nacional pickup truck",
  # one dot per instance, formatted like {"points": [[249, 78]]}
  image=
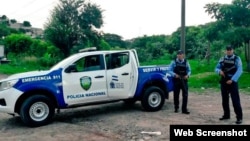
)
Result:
{"points": [[85, 78]]}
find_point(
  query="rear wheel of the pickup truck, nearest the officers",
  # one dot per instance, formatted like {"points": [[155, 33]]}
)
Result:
{"points": [[153, 99]]}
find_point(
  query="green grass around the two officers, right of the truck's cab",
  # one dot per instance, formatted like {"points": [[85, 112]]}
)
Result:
{"points": [[203, 75]]}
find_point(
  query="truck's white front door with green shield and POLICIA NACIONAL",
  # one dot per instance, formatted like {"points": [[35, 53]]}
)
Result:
{"points": [[87, 83]]}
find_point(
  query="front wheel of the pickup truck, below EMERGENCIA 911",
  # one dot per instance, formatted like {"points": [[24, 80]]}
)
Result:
{"points": [[37, 110]]}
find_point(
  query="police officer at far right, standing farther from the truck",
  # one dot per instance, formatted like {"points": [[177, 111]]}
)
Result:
{"points": [[229, 68]]}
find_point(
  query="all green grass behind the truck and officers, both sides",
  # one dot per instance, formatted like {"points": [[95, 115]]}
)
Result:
{"points": [[202, 76]]}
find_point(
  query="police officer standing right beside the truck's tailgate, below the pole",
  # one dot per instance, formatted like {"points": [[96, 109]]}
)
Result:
{"points": [[180, 70]]}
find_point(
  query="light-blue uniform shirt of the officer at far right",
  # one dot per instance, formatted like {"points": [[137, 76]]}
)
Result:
{"points": [[238, 64]]}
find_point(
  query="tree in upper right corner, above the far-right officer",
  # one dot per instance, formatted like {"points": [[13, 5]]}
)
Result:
{"points": [[237, 18]]}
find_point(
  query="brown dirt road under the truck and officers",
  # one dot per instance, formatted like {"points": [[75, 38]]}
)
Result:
{"points": [[118, 122]]}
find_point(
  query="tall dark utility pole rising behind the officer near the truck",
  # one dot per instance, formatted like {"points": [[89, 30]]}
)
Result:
{"points": [[183, 26]]}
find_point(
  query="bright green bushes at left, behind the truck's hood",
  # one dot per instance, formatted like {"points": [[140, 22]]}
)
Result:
{"points": [[20, 47]]}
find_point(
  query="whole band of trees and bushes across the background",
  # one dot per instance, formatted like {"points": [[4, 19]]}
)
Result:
{"points": [[74, 25]]}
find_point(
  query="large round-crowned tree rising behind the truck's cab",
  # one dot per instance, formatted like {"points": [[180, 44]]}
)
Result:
{"points": [[74, 23]]}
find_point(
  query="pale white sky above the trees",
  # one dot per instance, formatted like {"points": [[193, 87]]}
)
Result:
{"points": [[127, 18]]}
